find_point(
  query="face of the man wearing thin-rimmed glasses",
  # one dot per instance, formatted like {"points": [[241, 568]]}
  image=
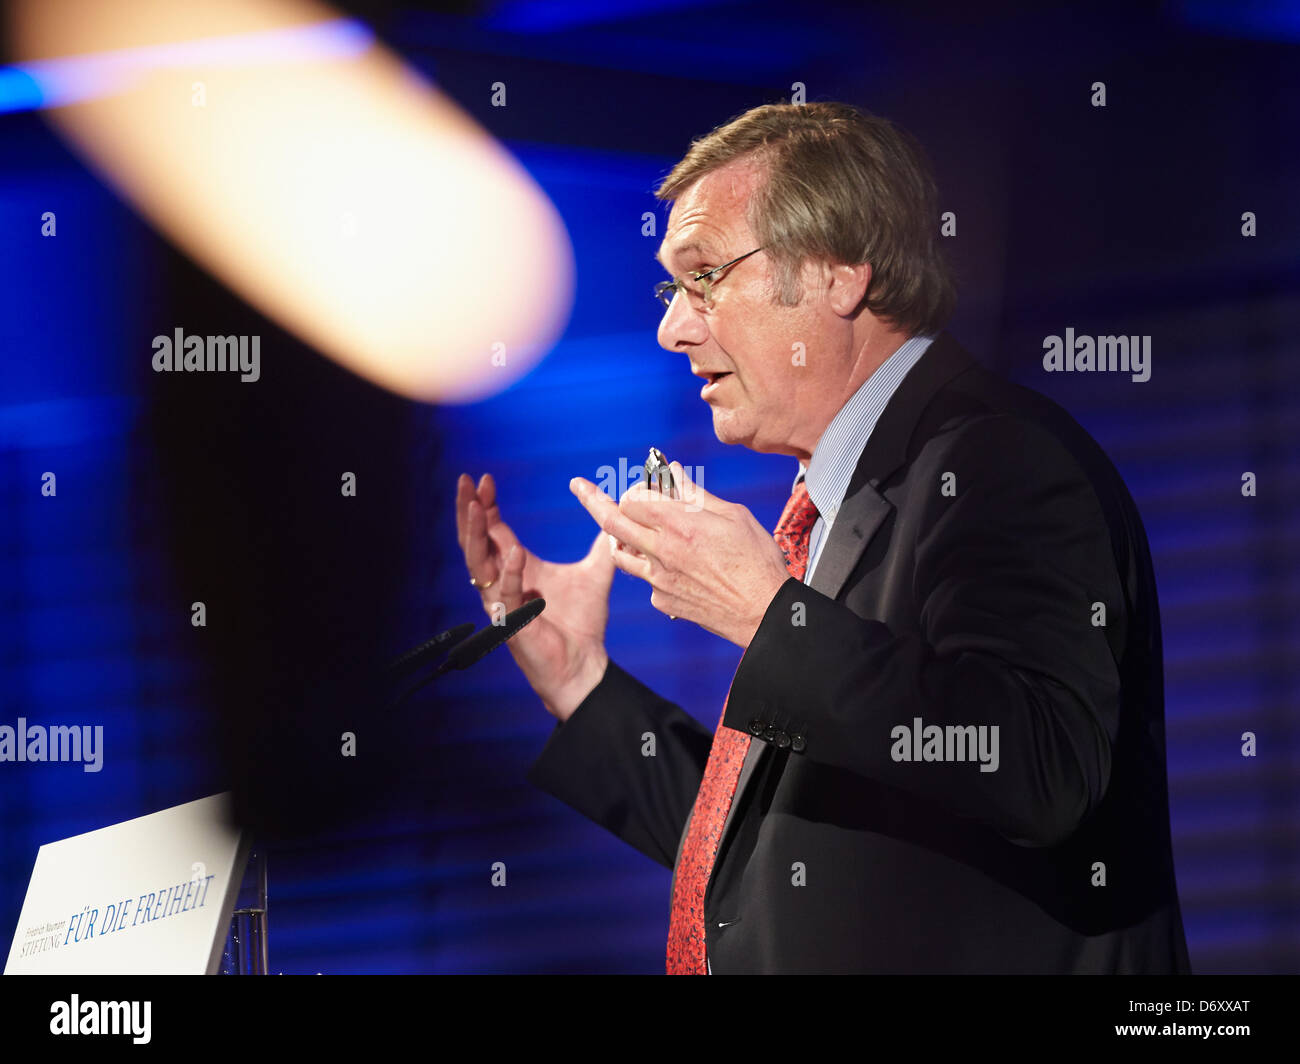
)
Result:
{"points": [[773, 390]]}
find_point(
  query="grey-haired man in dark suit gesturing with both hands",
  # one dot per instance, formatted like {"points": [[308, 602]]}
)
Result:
{"points": [[943, 749]]}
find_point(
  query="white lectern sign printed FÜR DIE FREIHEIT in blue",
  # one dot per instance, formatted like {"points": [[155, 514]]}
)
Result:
{"points": [[146, 897]]}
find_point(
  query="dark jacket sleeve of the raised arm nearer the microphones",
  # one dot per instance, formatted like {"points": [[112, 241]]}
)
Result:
{"points": [[601, 764]]}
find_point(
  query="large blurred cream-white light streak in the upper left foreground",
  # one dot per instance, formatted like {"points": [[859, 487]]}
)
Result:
{"points": [[317, 176]]}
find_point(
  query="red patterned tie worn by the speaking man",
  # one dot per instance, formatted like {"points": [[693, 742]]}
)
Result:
{"points": [[722, 773]]}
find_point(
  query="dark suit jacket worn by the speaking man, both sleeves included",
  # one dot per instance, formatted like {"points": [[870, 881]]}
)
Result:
{"points": [[959, 586]]}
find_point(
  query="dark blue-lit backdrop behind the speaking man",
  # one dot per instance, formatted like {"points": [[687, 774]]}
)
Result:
{"points": [[1125, 220]]}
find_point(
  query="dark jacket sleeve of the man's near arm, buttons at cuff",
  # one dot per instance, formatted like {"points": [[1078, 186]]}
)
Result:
{"points": [[1011, 555]]}
